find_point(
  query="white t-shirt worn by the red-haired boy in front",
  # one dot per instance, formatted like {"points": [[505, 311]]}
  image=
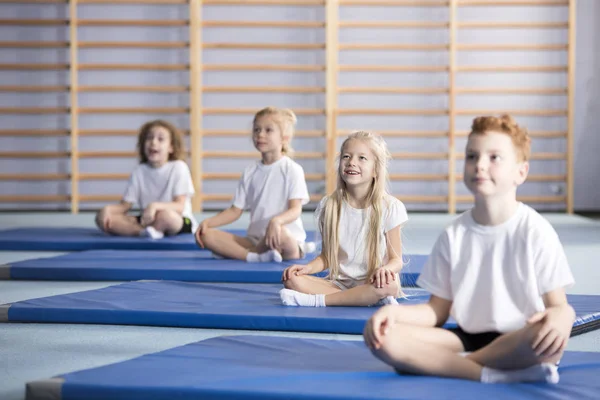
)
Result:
{"points": [[495, 276]]}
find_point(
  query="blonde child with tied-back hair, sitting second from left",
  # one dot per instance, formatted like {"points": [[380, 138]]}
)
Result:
{"points": [[273, 190]]}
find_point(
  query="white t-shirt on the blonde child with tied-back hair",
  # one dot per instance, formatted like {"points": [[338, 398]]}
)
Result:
{"points": [[265, 190]]}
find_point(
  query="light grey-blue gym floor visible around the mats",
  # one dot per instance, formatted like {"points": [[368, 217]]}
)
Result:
{"points": [[38, 351]]}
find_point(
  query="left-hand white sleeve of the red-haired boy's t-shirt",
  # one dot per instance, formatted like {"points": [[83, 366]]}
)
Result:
{"points": [[435, 277]]}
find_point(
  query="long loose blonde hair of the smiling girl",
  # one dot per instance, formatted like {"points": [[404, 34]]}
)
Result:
{"points": [[329, 218]]}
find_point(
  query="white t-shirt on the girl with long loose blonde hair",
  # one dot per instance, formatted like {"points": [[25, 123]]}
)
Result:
{"points": [[353, 227]]}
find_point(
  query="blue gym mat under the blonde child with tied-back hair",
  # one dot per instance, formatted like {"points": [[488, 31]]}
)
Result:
{"points": [[194, 266]]}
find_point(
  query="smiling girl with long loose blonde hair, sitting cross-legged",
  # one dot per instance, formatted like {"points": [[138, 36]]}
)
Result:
{"points": [[360, 224]]}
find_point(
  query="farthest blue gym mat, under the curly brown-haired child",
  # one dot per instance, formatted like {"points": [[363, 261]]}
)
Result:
{"points": [[77, 239]]}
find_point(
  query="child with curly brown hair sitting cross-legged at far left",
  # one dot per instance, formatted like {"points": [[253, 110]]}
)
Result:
{"points": [[161, 186]]}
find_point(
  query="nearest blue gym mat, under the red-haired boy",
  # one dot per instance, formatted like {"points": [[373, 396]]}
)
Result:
{"points": [[267, 367]]}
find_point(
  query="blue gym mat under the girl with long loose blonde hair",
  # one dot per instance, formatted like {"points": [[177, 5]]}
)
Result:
{"points": [[221, 306]]}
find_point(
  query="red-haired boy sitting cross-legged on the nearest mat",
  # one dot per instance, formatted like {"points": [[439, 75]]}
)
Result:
{"points": [[499, 269]]}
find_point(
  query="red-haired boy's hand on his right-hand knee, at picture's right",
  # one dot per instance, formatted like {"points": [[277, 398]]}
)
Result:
{"points": [[555, 328]]}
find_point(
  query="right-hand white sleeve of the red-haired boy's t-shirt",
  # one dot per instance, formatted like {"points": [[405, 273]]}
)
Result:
{"points": [[550, 262]]}
